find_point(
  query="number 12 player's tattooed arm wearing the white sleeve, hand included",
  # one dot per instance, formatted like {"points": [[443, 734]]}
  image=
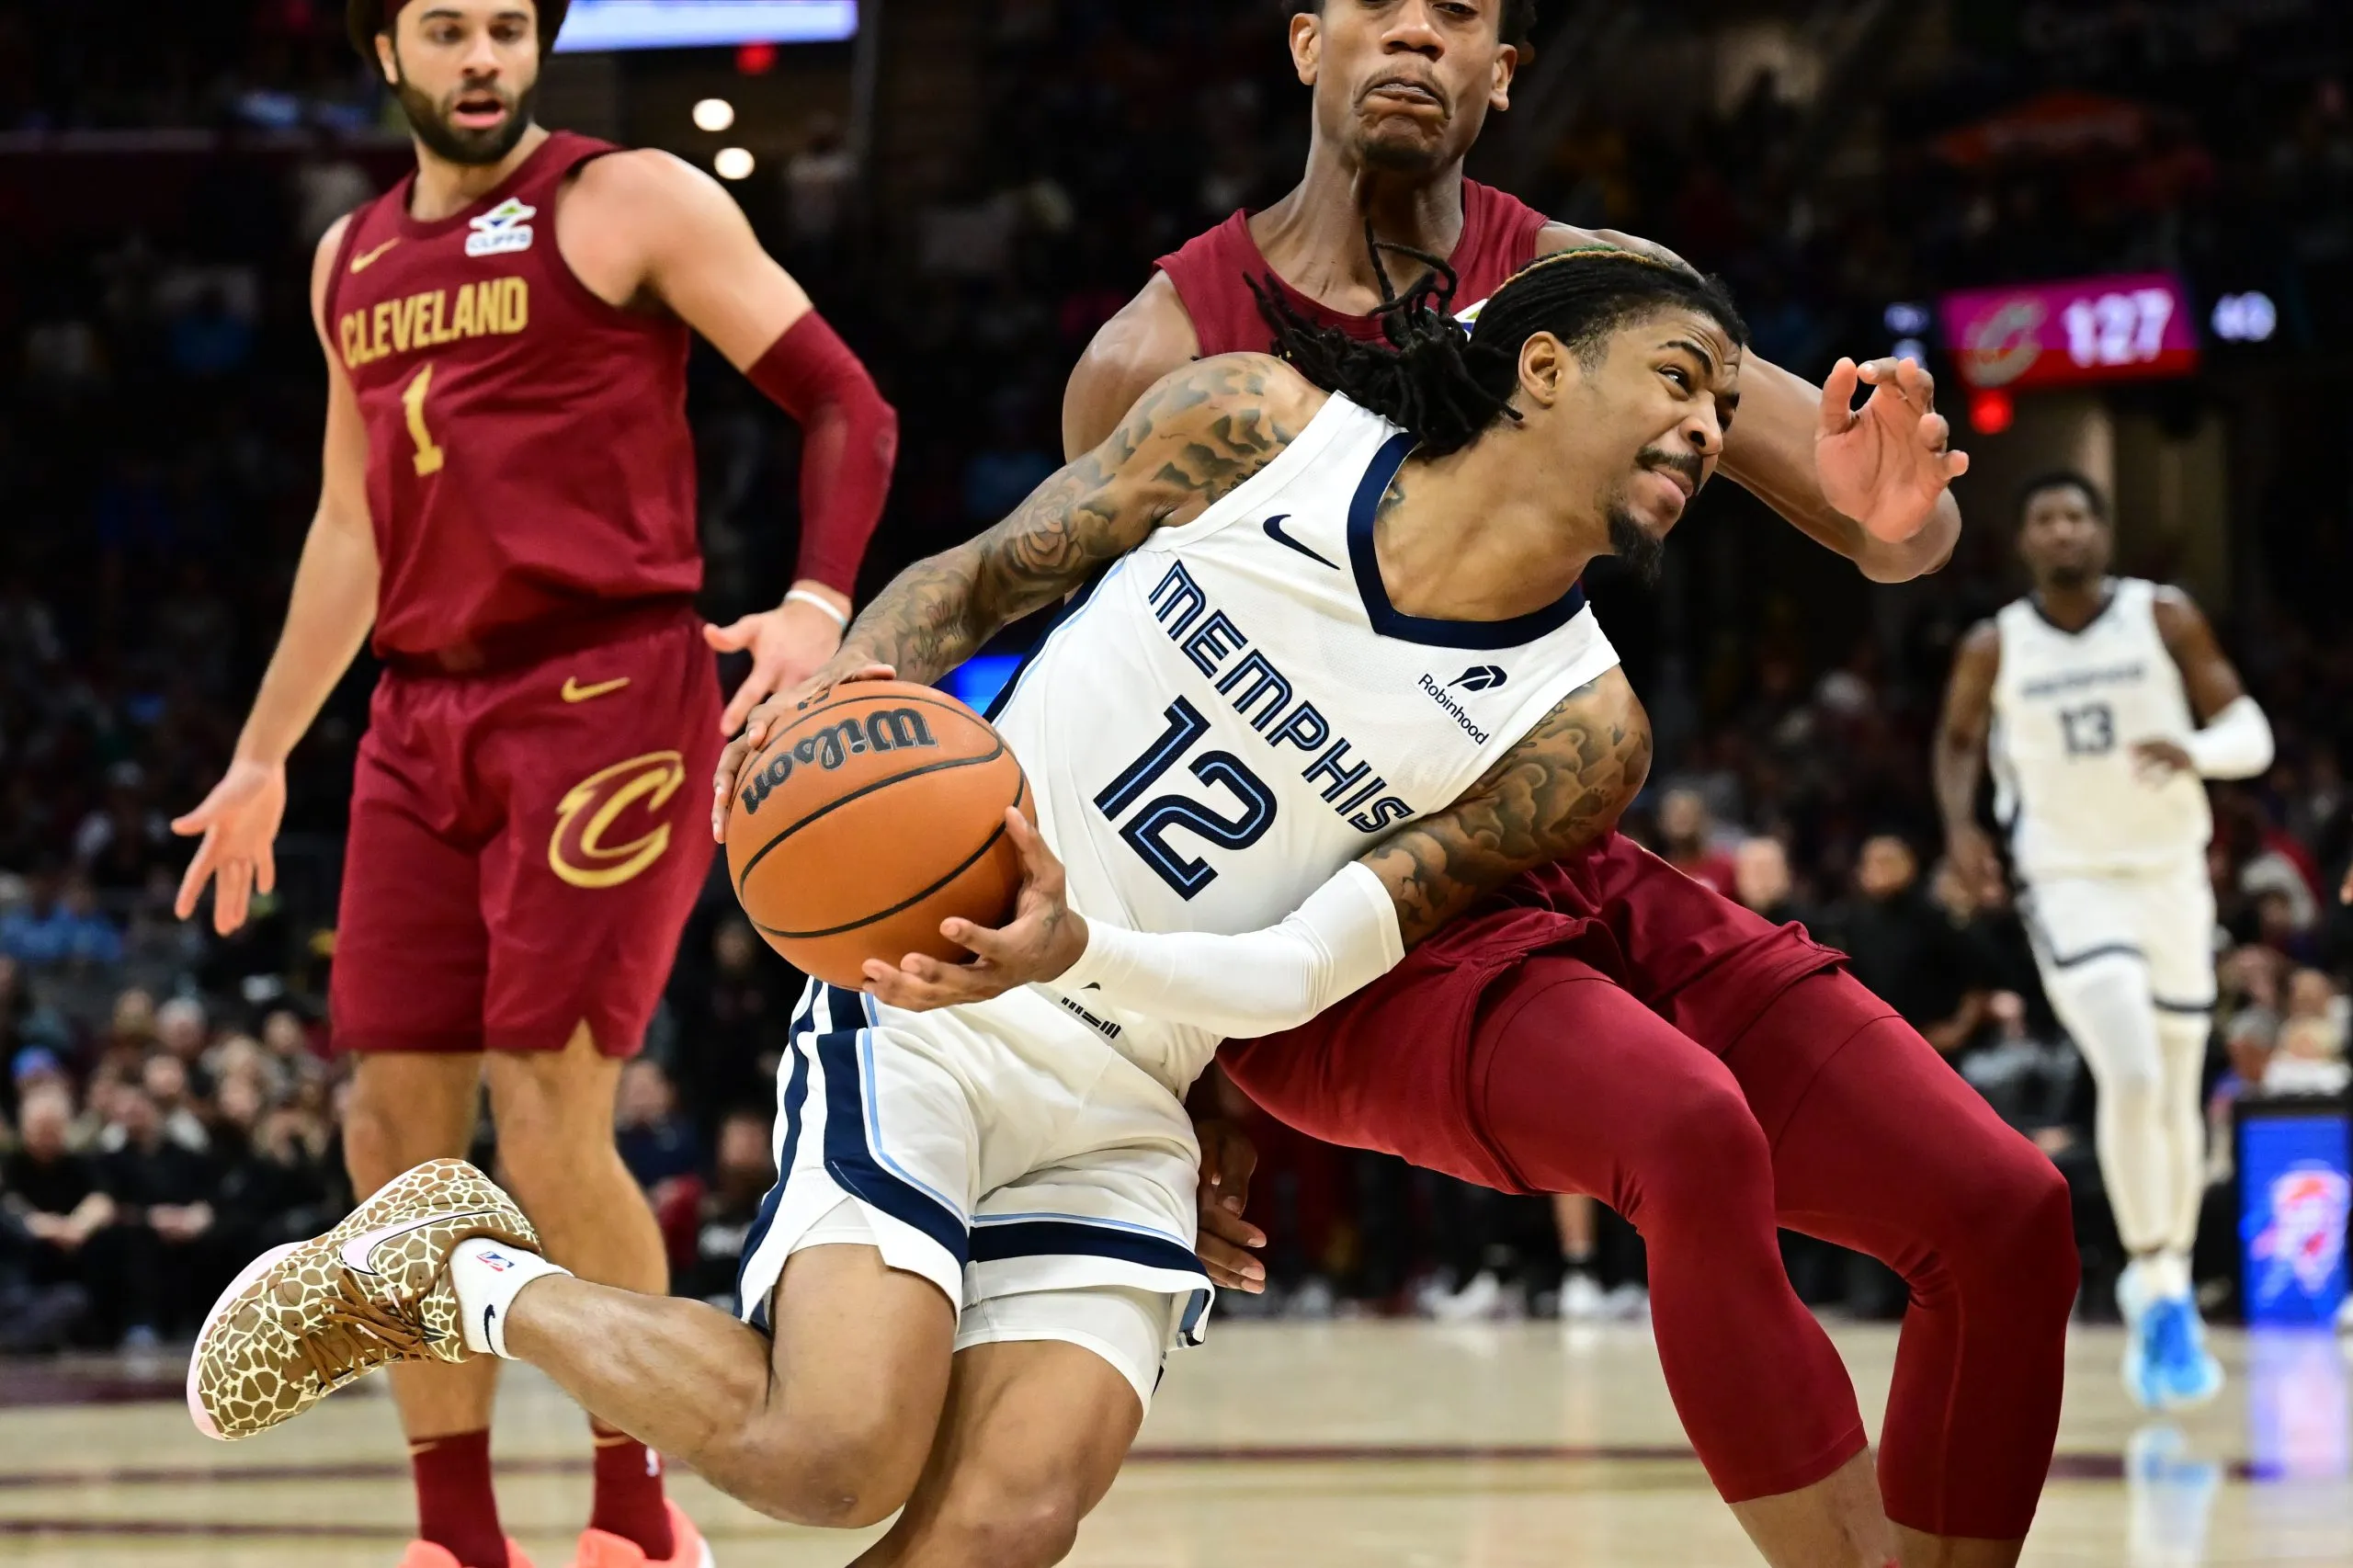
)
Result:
{"points": [[1552, 795]]}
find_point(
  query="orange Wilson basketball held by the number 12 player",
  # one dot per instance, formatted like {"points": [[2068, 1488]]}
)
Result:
{"points": [[872, 818]]}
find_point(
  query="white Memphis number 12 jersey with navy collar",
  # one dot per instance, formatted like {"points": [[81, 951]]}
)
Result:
{"points": [[1237, 710]]}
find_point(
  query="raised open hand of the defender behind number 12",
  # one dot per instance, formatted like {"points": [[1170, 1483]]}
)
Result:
{"points": [[1886, 465]]}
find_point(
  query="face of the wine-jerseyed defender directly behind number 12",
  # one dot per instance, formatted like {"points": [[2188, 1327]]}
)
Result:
{"points": [[1404, 84]]}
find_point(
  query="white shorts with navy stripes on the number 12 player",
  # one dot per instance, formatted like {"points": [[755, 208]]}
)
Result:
{"points": [[1008, 1155]]}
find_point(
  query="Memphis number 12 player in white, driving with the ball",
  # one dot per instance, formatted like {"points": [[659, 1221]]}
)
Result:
{"points": [[1333, 684]]}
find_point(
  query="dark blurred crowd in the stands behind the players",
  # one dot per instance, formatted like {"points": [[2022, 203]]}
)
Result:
{"points": [[168, 1098]]}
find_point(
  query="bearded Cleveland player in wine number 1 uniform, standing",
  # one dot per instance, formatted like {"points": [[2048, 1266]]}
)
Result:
{"points": [[509, 503]]}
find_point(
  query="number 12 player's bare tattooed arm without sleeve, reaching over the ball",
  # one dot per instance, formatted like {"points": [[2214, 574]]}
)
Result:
{"points": [[1187, 441]]}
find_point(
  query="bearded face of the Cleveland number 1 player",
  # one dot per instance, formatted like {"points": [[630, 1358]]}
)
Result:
{"points": [[465, 74]]}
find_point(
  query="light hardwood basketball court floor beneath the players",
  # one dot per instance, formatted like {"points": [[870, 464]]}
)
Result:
{"points": [[1277, 1444]]}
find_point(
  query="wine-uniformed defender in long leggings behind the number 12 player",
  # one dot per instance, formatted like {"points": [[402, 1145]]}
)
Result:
{"points": [[1608, 1025]]}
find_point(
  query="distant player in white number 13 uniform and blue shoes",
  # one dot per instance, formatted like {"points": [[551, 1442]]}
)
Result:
{"points": [[2107, 703]]}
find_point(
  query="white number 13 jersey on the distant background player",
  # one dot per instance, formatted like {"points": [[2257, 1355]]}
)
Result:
{"points": [[2067, 710]]}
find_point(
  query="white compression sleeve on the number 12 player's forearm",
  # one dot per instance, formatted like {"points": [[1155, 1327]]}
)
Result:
{"points": [[1258, 983]]}
